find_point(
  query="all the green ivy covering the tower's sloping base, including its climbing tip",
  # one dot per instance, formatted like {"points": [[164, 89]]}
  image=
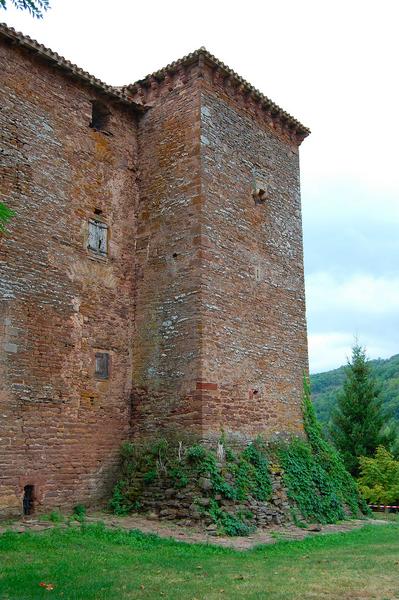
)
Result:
{"points": [[317, 484]]}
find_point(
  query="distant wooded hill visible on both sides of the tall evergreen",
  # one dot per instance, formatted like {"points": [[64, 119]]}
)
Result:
{"points": [[326, 385]]}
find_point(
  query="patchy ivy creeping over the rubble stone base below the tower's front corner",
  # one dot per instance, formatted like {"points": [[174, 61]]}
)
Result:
{"points": [[239, 477]]}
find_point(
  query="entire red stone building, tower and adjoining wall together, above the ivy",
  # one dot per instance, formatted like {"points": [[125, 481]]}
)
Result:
{"points": [[198, 300]]}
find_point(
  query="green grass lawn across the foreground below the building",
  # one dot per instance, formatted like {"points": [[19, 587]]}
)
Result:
{"points": [[108, 564]]}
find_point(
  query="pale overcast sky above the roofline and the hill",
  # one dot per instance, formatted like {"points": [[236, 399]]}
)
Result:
{"points": [[331, 64]]}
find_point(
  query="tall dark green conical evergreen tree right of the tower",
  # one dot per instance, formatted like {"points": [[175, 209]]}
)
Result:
{"points": [[357, 421]]}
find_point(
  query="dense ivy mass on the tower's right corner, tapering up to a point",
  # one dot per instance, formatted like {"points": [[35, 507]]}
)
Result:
{"points": [[315, 476]]}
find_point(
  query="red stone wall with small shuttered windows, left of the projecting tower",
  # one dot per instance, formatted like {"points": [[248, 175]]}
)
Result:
{"points": [[60, 426]]}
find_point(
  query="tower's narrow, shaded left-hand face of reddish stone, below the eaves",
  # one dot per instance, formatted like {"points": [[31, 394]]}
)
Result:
{"points": [[166, 358]]}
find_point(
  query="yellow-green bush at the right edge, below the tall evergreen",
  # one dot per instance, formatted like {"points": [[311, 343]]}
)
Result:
{"points": [[379, 478]]}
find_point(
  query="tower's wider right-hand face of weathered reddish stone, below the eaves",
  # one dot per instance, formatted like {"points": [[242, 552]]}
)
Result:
{"points": [[254, 348]]}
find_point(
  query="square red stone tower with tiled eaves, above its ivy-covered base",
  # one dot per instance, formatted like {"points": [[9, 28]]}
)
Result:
{"points": [[220, 338]]}
